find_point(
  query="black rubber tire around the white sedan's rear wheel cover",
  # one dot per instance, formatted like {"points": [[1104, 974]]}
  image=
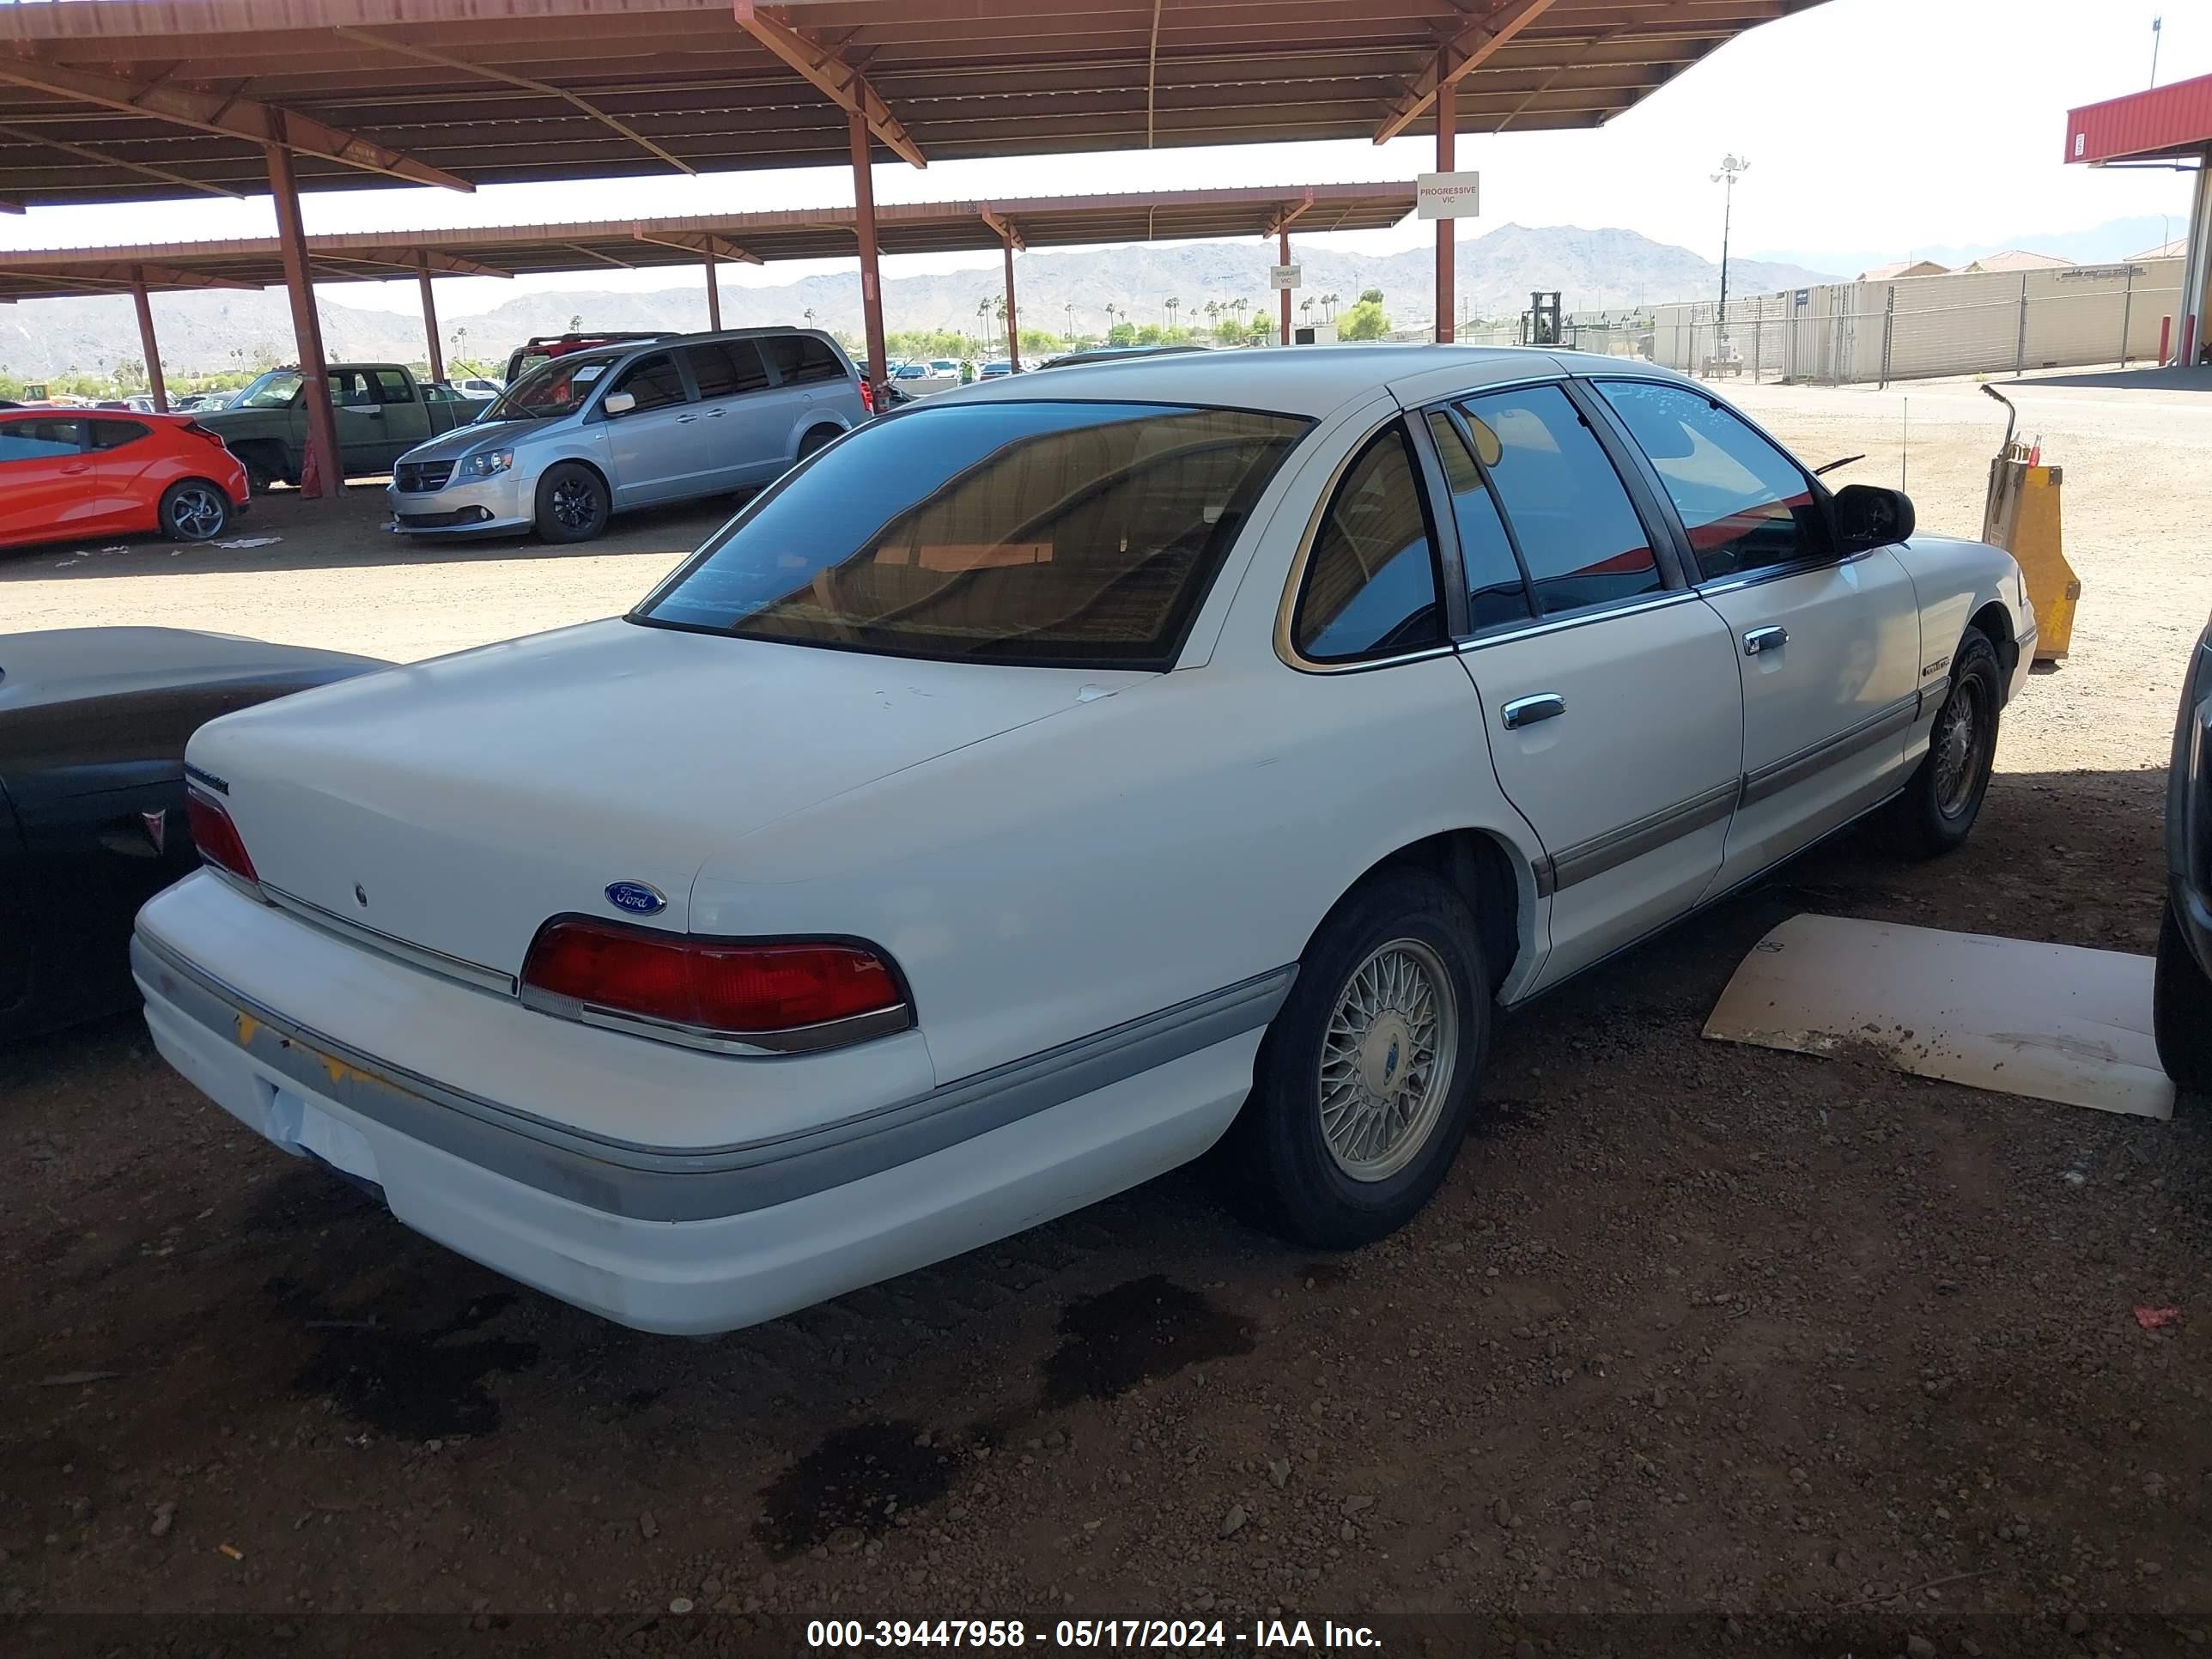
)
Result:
{"points": [[1306, 1187]]}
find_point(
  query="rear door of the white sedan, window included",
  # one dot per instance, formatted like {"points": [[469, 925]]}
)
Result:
{"points": [[1609, 693]]}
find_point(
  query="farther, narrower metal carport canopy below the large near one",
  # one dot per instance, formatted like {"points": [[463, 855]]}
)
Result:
{"points": [[806, 233]]}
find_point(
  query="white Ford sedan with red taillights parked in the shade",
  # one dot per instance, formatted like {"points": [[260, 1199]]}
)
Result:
{"points": [[1043, 784]]}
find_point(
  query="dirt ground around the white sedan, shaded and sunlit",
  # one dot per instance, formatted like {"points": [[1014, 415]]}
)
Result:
{"points": [[1693, 1331]]}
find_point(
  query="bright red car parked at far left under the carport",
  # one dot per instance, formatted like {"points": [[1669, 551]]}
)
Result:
{"points": [[87, 472]]}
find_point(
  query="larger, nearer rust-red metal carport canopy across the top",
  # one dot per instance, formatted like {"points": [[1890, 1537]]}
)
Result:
{"points": [[114, 101]]}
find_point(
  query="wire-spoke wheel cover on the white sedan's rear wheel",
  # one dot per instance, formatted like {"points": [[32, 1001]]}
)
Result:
{"points": [[1388, 1061]]}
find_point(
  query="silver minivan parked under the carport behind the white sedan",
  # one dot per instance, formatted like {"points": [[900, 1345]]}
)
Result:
{"points": [[592, 435]]}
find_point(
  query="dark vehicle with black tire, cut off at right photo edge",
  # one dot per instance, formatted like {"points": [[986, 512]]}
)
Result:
{"points": [[2184, 977]]}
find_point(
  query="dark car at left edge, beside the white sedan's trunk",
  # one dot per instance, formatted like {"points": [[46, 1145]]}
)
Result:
{"points": [[92, 795]]}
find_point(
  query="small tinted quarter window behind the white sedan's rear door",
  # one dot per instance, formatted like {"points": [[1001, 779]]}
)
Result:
{"points": [[1370, 583]]}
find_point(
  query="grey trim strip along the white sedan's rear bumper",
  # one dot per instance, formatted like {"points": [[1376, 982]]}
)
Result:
{"points": [[693, 1185]]}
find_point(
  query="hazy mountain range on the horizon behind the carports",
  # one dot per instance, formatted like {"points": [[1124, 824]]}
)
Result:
{"points": [[1496, 273]]}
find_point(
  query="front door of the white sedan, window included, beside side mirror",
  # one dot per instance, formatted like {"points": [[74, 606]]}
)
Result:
{"points": [[1828, 647]]}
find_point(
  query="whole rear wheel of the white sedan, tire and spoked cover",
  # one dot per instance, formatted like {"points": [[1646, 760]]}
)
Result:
{"points": [[1370, 1072]]}
